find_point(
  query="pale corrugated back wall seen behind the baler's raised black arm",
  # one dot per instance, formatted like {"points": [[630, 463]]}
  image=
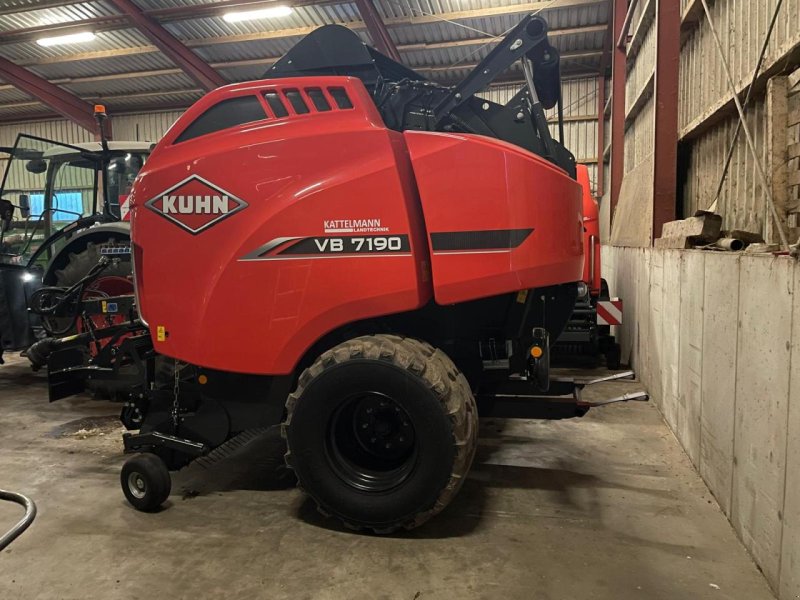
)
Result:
{"points": [[580, 114]]}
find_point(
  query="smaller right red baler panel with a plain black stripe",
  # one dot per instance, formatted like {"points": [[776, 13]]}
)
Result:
{"points": [[472, 183]]}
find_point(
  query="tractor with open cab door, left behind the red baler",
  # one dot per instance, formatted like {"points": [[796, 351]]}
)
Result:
{"points": [[62, 208]]}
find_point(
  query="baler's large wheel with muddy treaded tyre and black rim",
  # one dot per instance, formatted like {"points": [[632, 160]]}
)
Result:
{"points": [[381, 432]]}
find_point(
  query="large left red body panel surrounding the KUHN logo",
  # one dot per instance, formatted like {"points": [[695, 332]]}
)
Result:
{"points": [[294, 173]]}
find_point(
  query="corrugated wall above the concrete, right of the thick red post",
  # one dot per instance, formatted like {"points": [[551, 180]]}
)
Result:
{"points": [[704, 90]]}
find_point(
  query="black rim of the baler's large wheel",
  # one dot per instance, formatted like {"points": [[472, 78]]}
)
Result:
{"points": [[371, 442]]}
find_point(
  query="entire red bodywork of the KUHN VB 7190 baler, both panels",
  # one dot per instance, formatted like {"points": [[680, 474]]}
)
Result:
{"points": [[253, 242]]}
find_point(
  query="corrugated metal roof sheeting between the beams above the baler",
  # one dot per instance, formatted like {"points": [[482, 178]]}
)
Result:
{"points": [[154, 77]]}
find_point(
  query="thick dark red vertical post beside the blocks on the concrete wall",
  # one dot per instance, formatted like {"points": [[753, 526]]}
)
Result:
{"points": [[665, 177]]}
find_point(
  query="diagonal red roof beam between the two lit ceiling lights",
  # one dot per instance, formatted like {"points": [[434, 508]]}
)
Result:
{"points": [[188, 61]]}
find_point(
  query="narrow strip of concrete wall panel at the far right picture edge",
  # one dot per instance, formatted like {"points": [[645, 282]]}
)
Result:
{"points": [[790, 554]]}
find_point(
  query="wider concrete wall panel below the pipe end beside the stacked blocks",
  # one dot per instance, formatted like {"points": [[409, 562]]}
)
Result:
{"points": [[720, 316]]}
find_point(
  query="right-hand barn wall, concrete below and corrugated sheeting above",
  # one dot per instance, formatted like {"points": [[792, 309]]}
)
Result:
{"points": [[715, 337]]}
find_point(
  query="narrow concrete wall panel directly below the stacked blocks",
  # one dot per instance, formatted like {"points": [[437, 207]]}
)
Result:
{"points": [[690, 369]]}
